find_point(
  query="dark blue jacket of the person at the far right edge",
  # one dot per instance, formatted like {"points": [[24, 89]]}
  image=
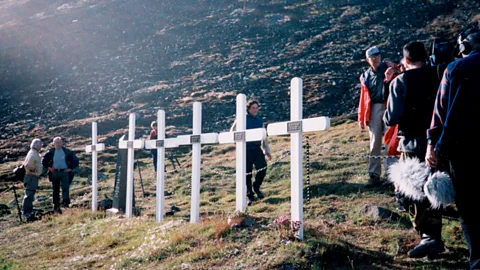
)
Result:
{"points": [[456, 107]]}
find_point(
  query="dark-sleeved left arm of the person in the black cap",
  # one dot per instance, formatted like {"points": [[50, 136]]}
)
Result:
{"points": [[395, 104]]}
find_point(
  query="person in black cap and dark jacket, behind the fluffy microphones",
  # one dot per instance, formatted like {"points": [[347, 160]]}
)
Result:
{"points": [[410, 106]]}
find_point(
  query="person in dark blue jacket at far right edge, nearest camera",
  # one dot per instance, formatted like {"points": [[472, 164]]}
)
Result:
{"points": [[452, 132]]}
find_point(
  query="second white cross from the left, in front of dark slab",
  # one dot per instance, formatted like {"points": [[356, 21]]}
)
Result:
{"points": [[131, 144]]}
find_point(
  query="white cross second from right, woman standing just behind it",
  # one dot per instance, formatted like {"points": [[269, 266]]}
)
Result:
{"points": [[240, 137]]}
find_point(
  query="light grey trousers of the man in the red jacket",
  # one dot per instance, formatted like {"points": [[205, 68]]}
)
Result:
{"points": [[376, 128]]}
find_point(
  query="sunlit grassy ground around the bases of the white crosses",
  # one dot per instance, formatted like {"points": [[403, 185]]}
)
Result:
{"points": [[336, 234]]}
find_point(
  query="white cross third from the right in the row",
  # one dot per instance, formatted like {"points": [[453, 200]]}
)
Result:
{"points": [[196, 140]]}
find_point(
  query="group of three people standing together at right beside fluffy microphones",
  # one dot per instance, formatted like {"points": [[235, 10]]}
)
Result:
{"points": [[431, 118]]}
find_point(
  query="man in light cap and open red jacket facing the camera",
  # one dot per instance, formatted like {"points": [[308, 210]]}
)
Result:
{"points": [[373, 96]]}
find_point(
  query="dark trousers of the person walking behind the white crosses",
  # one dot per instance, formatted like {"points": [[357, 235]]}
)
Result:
{"points": [[255, 157]]}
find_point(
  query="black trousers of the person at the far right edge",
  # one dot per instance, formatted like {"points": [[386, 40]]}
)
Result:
{"points": [[466, 183]]}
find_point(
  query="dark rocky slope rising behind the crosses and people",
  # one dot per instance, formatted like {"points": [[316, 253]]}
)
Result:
{"points": [[64, 62]]}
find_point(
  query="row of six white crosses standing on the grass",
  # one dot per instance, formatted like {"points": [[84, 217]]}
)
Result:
{"points": [[295, 127]]}
